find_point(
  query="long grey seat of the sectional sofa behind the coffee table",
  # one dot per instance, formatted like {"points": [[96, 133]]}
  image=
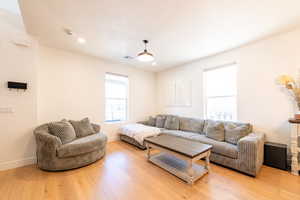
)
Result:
{"points": [[222, 148]]}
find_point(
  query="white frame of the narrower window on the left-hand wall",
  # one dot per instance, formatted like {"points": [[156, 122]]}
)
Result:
{"points": [[126, 99]]}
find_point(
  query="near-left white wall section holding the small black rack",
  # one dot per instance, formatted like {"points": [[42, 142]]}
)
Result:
{"points": [[16, 64]]}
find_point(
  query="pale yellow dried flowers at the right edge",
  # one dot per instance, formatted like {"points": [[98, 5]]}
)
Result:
{"points": [[293, 88]]}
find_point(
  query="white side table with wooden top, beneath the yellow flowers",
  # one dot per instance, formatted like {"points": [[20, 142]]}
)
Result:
{"points": [[295, 149]]}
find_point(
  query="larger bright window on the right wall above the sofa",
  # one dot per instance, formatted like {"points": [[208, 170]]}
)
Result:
{"points": [[220, 93]]}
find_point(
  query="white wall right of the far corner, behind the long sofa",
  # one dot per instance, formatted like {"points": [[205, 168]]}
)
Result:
{"points": [[260, 101]]}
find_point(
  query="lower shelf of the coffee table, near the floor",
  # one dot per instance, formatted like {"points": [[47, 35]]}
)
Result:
{"points": [[178, 167]]}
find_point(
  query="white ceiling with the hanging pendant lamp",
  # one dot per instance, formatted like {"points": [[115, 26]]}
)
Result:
{"points": [[179, 31]]}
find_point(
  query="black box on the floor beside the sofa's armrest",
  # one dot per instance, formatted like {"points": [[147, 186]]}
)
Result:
{"points": [[275, 155]]}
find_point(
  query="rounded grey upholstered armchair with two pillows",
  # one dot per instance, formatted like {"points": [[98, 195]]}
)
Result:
{"points": [[60, 149]]}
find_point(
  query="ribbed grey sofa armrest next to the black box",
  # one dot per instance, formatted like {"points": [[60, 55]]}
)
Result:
{"points": [[251, 152]]}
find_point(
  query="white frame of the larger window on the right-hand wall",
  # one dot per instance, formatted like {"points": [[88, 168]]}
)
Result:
{"points": [[205, 97]]}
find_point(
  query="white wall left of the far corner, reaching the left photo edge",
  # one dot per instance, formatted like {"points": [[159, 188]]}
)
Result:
{"points": [[61, 85]]}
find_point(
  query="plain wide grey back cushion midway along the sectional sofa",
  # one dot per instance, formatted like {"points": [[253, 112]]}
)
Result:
{"points": [[191, 124]]}
